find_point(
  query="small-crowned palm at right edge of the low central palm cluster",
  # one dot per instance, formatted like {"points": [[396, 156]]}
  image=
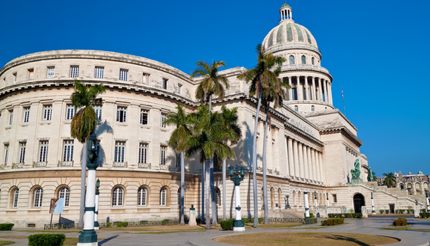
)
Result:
{"points": [[229, 121]]}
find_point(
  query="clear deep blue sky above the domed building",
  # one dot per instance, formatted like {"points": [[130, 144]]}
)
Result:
{"points": [[376, 50]]}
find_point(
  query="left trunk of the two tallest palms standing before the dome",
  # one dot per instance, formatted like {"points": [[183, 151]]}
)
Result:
{"points": [[254, 163]]}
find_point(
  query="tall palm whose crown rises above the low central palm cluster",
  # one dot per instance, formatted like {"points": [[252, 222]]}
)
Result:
{"points": [[211, 84]]}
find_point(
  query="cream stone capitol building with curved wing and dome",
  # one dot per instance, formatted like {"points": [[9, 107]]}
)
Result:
{"points": [[313, 145]]}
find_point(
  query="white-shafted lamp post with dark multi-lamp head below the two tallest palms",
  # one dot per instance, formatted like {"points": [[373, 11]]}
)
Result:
{"points": [[236, 175]]}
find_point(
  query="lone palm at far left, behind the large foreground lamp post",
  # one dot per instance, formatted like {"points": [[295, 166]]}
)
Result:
{"points": [[83, 125]]}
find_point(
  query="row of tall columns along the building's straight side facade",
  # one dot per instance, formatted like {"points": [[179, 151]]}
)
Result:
{"points": [[303, 162]]}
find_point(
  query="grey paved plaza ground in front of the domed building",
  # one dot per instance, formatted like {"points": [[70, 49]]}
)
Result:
{"points": [[366, 226]]}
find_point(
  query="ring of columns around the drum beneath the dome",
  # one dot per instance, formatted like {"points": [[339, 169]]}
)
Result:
{"points": [[308, 88]]}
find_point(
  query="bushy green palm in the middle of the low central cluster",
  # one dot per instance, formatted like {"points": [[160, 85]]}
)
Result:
{"points": [[209, 139]]}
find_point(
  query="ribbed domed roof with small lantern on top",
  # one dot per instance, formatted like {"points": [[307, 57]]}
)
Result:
{"points": [[289, 35]]}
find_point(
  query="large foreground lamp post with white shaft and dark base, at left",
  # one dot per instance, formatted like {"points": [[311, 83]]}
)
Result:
{"points": [[88, 236]]}
